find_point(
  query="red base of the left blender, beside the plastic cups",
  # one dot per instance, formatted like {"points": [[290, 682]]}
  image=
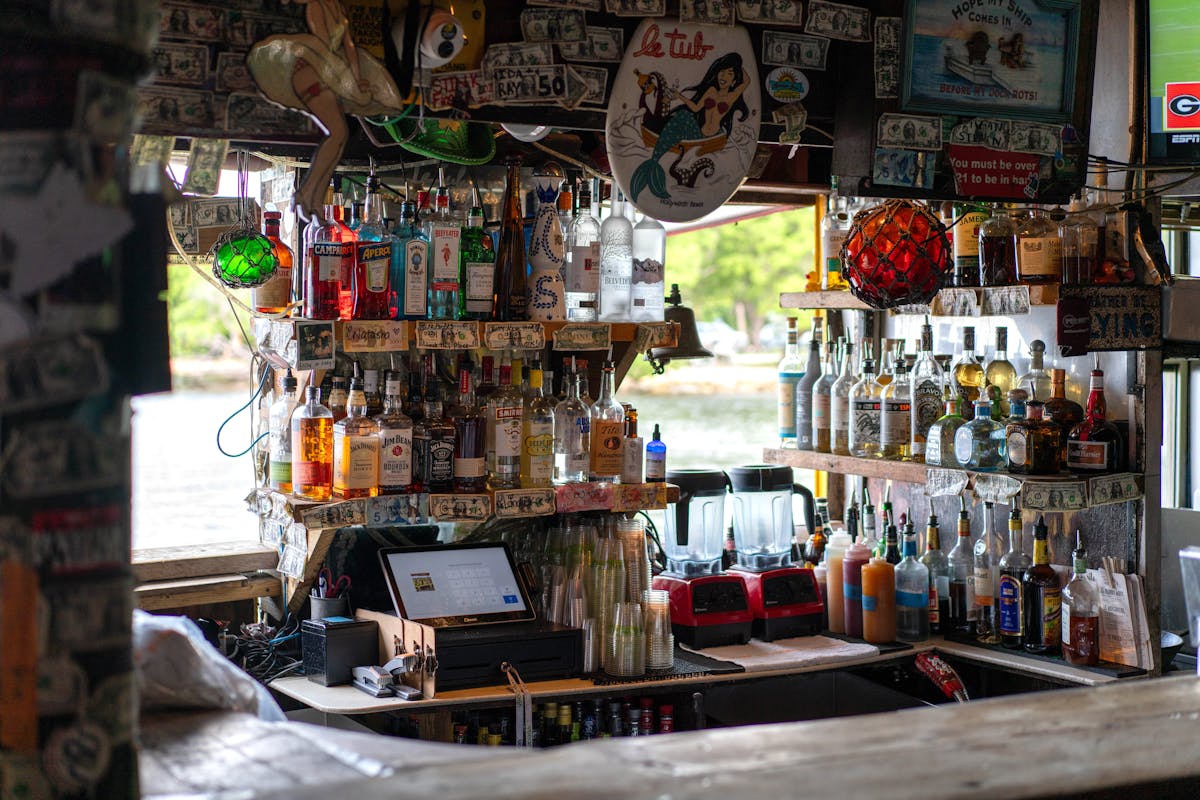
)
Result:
{"points": [[710, 611]]}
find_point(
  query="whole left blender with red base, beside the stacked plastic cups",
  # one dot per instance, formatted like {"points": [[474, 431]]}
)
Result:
{"points": [[709, 607]]}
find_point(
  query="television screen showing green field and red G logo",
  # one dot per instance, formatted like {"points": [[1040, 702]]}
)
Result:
{"points": [[1173, 98]]}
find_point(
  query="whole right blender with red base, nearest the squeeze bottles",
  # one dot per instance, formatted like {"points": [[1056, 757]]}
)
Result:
{"points": [[785, 600]]}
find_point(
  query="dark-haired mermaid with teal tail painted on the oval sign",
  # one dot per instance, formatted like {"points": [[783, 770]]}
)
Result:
{"points": [[705, 113]]}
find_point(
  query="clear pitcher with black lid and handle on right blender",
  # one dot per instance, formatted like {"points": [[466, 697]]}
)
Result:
{"points": [[763, 515]]}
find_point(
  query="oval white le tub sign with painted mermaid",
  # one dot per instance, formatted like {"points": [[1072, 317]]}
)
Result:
{"points": [[683, 118]]}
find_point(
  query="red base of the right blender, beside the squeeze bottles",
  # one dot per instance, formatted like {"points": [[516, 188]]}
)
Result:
{"points": [[785, 603]]}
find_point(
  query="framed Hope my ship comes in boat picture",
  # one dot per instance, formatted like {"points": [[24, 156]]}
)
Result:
{"points": [[1016, 59]]}
